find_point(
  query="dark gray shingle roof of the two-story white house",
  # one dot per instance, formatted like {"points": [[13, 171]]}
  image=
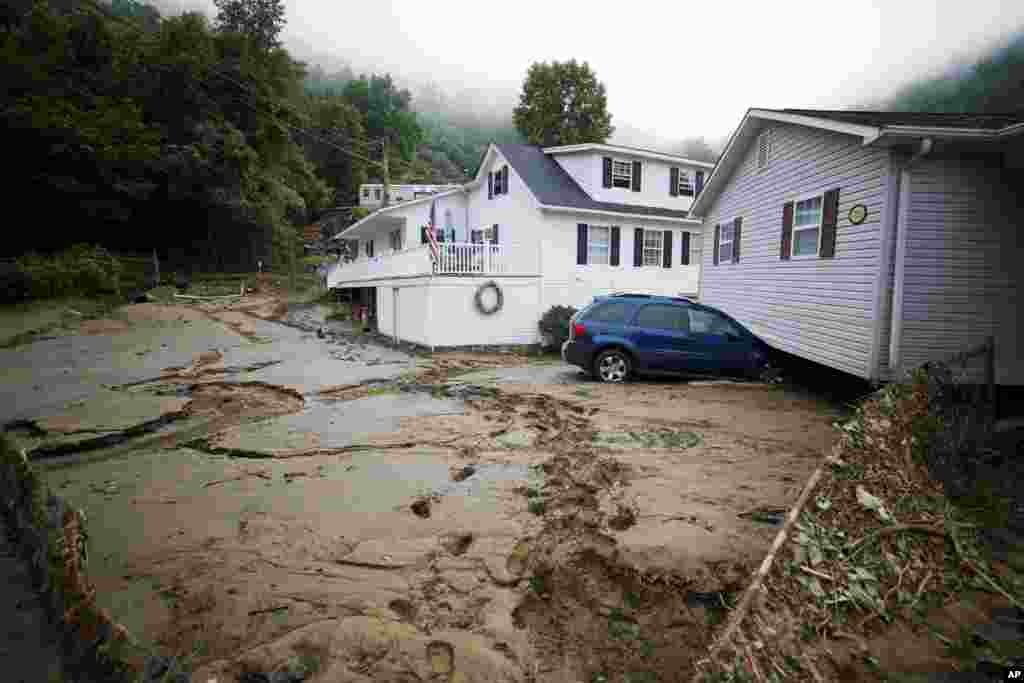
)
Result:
{"points": [[554, 187]]}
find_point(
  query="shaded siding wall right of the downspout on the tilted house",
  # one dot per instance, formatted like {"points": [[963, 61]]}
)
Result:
{"points": [[962, 270]]}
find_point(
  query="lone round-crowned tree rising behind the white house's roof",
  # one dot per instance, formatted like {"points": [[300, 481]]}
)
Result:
{"points": [[563, 104]]}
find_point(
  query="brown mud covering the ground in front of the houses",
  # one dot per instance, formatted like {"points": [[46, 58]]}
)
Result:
{"points": [[262, 496]]}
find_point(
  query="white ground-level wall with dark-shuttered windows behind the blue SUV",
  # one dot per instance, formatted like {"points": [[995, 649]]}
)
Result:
{"points": [[566, 283]]}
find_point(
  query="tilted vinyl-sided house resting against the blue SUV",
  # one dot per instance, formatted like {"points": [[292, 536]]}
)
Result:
{"points": [[870, 242]]}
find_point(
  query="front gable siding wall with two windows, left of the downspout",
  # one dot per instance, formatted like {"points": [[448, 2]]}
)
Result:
{"points": [[822, 310]]}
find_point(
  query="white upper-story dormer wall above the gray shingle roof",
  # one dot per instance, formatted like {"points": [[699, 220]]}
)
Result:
{"points": [[587, 169]]}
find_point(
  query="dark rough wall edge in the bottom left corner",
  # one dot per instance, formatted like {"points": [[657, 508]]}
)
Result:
{"points": [[52, 538]]}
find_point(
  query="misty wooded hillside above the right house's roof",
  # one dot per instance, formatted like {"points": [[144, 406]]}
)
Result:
{"points": [[994, 84]]}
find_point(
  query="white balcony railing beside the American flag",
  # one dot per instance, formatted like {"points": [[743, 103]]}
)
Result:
{"points": [[455, 259]]}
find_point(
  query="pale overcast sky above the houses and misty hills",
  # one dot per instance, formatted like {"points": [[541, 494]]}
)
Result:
{"points": [[676, 70]]}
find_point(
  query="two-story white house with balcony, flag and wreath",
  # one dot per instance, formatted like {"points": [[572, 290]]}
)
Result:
{"points": [[553, 226]]}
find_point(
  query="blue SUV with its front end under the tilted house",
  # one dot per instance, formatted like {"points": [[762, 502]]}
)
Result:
{"points": [[617, 336]]}
